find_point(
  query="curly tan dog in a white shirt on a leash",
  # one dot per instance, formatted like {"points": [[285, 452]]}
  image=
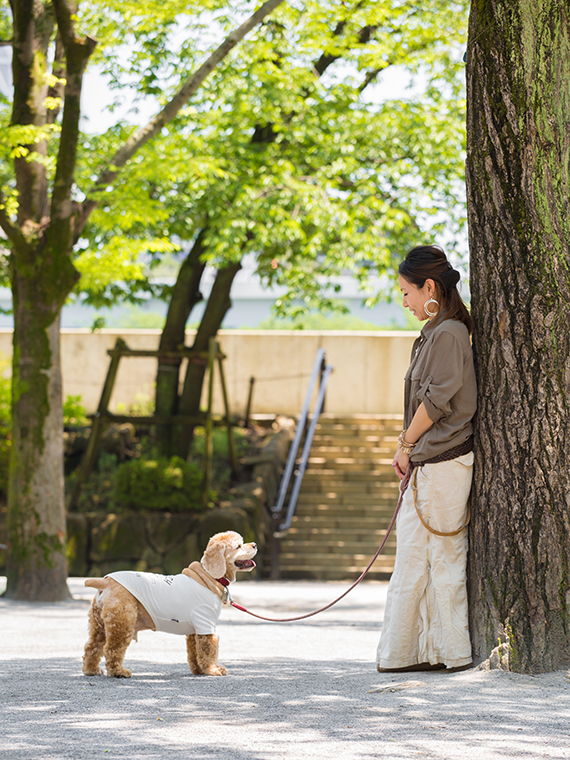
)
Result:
{"points": [[189, 604]]}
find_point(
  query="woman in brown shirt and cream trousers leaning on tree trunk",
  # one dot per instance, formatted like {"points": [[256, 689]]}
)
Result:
{"points": [[425, 624]]}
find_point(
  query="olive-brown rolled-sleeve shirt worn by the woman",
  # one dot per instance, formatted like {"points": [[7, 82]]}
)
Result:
{"points": [[442, 376]]}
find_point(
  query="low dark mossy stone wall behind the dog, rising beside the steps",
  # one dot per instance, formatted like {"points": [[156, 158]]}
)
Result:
{"points": [[163, 542]]}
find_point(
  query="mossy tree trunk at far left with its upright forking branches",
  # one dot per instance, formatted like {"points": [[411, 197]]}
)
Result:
{"points": [[42, 277]]}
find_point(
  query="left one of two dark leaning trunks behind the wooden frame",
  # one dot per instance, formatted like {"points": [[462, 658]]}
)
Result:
{"points": [[185, 295]]}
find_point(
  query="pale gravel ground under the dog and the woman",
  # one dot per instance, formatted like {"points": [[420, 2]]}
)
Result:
{"points": [[298, 690]]}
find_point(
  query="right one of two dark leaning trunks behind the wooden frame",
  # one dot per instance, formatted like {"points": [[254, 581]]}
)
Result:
{"points": [[216, 309]]}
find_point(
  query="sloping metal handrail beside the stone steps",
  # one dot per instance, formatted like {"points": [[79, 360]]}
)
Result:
{"points": [[321, 371]]}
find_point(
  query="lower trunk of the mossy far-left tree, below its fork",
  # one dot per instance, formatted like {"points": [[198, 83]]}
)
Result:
{"points": [[37, 568]]}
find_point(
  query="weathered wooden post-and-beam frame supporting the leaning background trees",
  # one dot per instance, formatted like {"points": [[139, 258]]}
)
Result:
{"points": [[103, 416]]}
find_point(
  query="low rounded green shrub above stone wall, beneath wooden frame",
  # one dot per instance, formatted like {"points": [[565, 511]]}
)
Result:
{"points": [[169, 485]]}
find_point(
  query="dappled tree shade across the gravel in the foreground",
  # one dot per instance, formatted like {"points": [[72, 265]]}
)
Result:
{"points": [[274, 709]]}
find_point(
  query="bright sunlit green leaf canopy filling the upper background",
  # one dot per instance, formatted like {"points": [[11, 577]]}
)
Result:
{"points": [[313, 174]]}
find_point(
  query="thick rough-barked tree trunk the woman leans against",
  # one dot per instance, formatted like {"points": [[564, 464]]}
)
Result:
{"points": [[518, 76]]}
